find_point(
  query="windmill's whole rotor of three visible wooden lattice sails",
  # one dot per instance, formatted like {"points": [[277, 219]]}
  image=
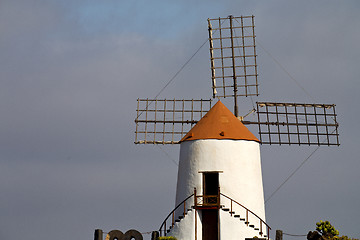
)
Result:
{"points": [[234, 74]]}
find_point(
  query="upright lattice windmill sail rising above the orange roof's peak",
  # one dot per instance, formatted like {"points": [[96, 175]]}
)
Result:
{"points": [[233, 56]]}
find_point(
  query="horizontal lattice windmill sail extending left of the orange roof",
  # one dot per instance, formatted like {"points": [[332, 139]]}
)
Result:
{"points": [[166, 121]]}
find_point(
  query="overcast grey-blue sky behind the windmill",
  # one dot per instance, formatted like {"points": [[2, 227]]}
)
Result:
{"points": [[70, 74]]}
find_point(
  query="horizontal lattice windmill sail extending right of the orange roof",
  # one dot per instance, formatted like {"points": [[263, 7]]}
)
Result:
{"points": [[297, 123]]}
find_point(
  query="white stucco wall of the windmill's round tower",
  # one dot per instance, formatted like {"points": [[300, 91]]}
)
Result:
{"points": [[241, 179]]}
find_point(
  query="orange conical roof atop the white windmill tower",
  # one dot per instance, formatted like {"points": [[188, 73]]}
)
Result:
{"points": [[219, 123]]}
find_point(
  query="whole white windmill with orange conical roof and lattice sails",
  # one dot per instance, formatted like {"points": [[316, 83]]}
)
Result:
{"points": [[219, 189]]}
